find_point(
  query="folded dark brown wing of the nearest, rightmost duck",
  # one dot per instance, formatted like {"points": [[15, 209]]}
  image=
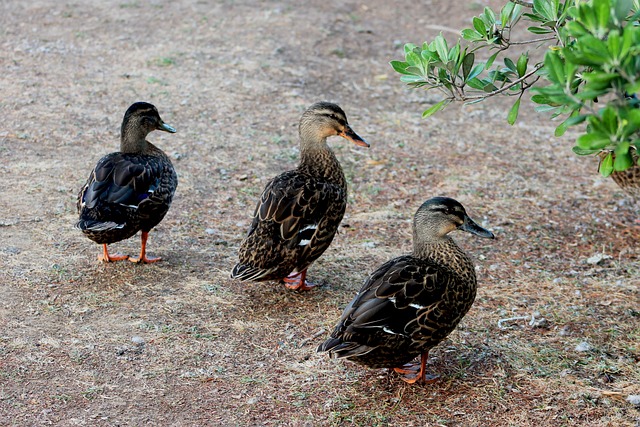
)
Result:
{"points": [[397, 304]]}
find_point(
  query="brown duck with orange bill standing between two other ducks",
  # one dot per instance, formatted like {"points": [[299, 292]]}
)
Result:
{"points": [[299, 211]]}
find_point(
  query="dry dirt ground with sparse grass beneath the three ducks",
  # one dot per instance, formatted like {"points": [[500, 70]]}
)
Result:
{"points": [[178, 343]]}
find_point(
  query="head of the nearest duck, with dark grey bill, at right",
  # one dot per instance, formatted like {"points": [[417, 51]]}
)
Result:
{"points": [[439, 216]]}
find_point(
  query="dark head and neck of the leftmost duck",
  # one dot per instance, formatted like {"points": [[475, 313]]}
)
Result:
{"points": [[141, 119]]}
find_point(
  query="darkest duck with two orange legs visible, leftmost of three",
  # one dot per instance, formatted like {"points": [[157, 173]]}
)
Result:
{"points": [[130, 190]]}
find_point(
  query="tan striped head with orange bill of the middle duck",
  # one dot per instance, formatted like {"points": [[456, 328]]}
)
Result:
{"points": [[324, 119]]}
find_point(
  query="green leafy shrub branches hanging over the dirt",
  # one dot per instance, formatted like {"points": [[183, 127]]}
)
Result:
{"points": [[590, 74]]}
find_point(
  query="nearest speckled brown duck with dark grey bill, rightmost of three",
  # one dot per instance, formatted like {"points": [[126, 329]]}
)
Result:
{"points": [[411, 303]]}
